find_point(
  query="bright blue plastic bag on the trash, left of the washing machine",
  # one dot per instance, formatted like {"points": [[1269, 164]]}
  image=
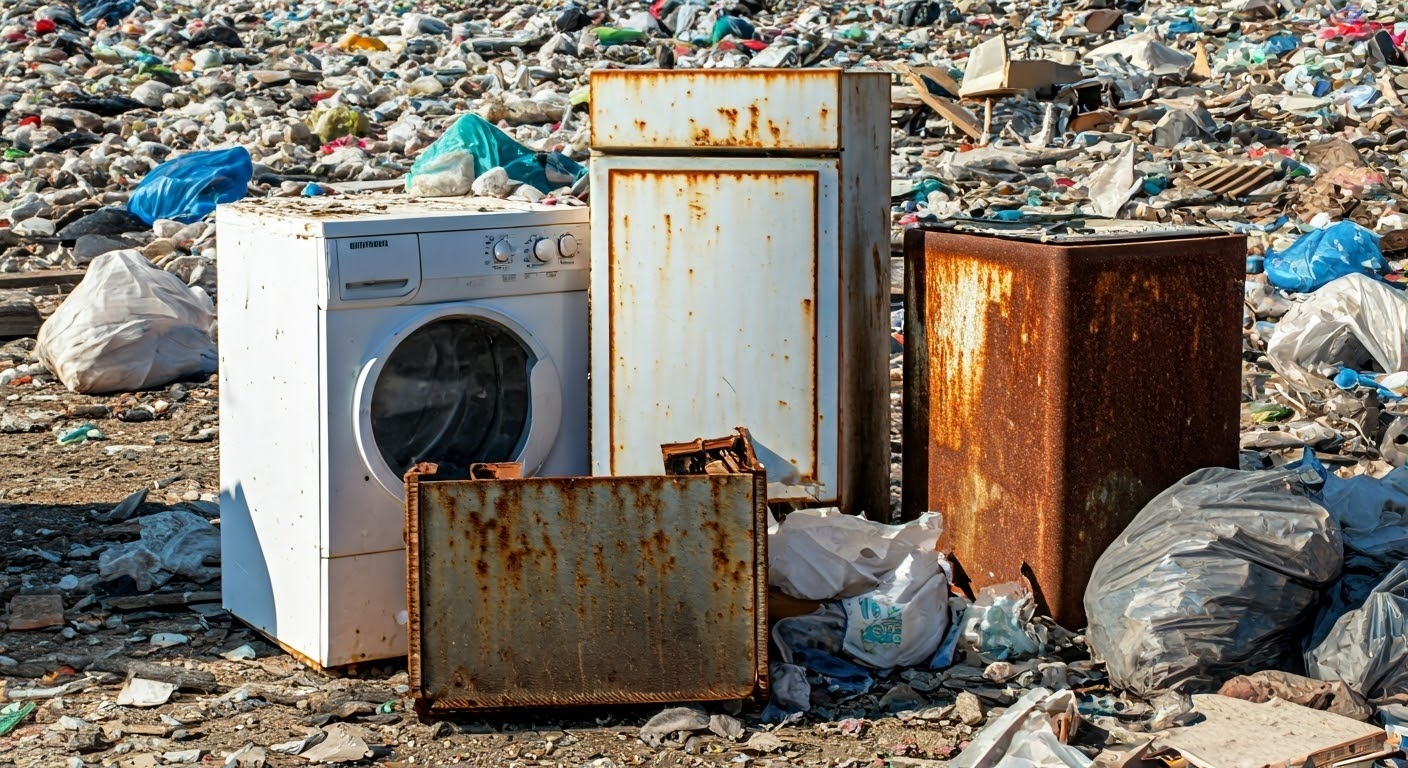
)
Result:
{"points": [[192, 185]]}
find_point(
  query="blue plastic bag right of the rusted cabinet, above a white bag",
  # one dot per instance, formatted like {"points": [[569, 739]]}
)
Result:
{"points": [[1320, 257]]}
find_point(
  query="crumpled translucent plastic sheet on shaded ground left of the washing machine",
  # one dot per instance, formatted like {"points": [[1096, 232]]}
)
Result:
{"points": [[174, 543]]}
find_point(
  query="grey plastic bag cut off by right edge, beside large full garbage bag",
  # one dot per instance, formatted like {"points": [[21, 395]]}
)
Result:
{"points": [[1368, 649]]}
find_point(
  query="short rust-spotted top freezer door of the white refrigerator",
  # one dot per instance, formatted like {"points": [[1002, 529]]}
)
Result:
{"points": [[719, 109]]}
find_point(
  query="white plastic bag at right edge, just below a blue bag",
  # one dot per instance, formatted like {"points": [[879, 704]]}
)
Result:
{"points": [[1348, 323]]}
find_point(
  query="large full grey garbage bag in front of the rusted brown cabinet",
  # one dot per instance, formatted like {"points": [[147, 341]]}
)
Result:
{"points": [[1216, 577]]}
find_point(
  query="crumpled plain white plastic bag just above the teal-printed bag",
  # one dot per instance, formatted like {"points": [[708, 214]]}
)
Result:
{"points": [[822, 555]]}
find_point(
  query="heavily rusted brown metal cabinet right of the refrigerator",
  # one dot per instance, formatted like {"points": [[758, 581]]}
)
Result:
{"points": [[1054, 390]]}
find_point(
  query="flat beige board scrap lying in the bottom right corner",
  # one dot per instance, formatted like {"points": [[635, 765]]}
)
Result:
{"points": [[1245, 735]]}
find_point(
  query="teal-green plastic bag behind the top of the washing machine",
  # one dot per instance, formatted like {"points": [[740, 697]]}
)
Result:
{"points": [[492, 149]]}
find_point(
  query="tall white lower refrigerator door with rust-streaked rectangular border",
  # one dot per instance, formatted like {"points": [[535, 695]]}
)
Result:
{"points": [[715, 305]]}
